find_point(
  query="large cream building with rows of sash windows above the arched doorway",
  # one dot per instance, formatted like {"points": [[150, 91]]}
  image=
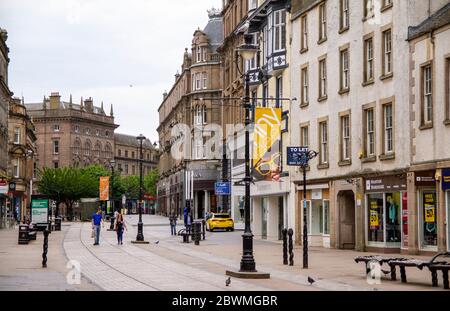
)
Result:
{"points": [[348, 67]]}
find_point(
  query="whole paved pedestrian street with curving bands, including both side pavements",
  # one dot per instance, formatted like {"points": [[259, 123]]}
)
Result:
{"points": [[171, 265]]}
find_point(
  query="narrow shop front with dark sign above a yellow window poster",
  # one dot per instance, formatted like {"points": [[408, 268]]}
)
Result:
{"points": [[425, 183]]}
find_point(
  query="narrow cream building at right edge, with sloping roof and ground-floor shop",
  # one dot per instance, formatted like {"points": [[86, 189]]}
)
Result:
{"points": [[429, 175]]}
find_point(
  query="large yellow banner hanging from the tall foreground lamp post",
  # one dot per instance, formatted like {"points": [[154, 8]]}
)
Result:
{"points": [[266, 146]]}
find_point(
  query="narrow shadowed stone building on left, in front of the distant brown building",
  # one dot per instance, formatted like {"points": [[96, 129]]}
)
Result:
{"points": [[21, 165]]}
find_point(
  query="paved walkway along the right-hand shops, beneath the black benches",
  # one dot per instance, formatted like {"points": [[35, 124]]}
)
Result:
{"points": [[332, 269]]}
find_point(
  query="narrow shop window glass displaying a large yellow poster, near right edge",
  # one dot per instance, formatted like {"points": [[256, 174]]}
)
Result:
{"points": [[429, 219]]}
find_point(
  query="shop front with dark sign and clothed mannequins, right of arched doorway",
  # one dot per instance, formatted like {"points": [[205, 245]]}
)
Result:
{"points": [[387, 213]]}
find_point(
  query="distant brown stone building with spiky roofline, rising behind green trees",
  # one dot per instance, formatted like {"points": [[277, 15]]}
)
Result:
{"points": [[72, 135]]}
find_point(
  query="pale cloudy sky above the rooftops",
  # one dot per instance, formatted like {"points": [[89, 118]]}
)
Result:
{"points": [[121, 52]]}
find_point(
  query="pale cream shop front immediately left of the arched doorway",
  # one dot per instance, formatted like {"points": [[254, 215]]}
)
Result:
{"points": [[317, 214]]}
